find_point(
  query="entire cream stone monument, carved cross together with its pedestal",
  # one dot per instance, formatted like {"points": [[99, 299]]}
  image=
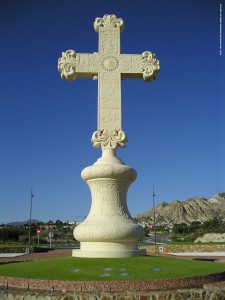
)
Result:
{"points": [[109, 230]]}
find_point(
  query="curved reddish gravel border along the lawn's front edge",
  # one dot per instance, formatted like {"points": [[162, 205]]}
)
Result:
{"points": [[12, 283]]}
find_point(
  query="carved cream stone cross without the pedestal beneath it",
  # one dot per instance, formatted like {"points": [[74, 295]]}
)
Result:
{"points": [[108, 66]]}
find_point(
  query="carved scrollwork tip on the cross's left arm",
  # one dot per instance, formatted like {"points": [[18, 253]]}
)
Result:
{"points": [[67, 65]]}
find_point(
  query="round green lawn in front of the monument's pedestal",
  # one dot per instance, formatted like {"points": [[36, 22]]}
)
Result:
{"points": [[137, 268]]}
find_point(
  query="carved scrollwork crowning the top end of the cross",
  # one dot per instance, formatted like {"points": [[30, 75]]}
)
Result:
{"points": [[108, 21]]}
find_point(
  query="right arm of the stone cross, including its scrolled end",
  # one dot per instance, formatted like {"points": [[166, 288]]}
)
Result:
{"points": [[143, 65]]}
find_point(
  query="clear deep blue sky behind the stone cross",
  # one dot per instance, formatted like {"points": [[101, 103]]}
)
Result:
{"points": [[175, 125]]}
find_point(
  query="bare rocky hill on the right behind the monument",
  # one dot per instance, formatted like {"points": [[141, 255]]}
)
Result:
{"points": [[192, 209]]}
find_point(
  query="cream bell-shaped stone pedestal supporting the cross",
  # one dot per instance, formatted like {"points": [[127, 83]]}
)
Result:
{"points": [[109, 230]]}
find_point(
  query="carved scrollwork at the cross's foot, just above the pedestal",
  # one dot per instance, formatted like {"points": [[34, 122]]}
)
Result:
{"points": [[109, 139]]}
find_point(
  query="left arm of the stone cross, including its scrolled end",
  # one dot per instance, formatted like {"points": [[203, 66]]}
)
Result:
{"points": [[74, 65]]}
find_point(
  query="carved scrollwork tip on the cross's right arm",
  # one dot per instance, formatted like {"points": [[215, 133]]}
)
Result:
{"points": [[150, 66]]}
